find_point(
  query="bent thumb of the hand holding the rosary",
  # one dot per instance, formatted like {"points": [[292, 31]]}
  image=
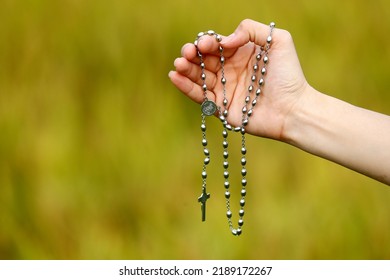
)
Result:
{"points": [[247, 31]]}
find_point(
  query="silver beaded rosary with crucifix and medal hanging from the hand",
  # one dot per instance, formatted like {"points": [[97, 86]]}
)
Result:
{"points": [[209, 108]]}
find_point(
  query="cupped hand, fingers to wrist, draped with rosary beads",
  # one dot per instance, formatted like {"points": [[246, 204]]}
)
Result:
{"points": [[284, 80]]}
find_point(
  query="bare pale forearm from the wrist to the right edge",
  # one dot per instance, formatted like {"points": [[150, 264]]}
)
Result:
{"points": [[348, 135]]}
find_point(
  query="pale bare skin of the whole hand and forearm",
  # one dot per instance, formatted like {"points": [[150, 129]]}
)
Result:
{"points": [[289, 109]]}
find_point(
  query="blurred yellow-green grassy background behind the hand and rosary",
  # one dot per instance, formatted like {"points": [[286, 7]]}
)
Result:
{"points": [[100, 156]]}
